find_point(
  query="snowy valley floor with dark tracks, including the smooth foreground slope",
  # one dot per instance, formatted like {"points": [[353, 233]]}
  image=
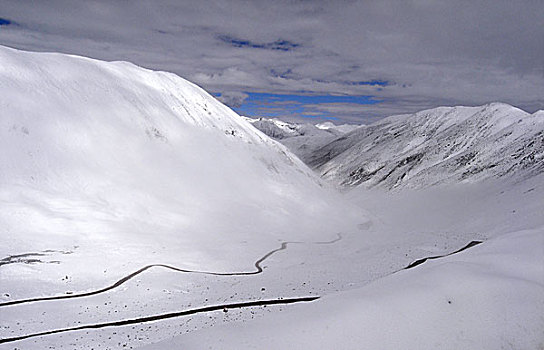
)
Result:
{"points": [[486, 297]]}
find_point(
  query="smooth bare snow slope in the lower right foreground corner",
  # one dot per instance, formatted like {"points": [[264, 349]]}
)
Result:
{"points": [[490, 297]]}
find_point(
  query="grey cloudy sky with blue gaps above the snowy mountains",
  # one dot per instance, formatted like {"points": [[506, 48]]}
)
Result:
{"points": [[349, 61]]}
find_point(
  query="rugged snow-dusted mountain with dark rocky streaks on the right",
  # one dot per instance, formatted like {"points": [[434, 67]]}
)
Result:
{"points": [[441, 145]]}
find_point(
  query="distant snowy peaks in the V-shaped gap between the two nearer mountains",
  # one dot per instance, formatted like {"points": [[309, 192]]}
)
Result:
{"points": [[301, 139]]}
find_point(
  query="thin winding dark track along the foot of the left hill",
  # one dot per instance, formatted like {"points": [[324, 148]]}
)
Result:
{"points": [[258, 270]]}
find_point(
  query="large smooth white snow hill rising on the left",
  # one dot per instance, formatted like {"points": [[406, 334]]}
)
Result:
{"points": [[110, 156]]}
